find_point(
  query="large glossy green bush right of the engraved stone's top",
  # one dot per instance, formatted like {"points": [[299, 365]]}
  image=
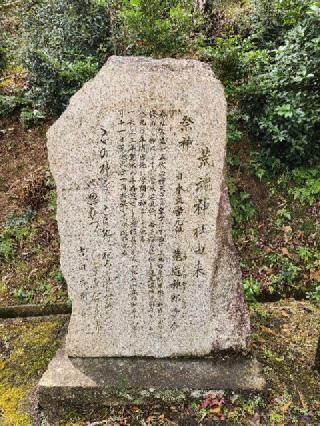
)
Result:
{"points": [[274, 77]]}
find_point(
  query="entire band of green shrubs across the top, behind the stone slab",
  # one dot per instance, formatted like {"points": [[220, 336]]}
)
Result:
{"points": [[268, 59]]}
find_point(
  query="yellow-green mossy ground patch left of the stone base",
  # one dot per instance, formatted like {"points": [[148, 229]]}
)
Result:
{"points": [[28, 347]]}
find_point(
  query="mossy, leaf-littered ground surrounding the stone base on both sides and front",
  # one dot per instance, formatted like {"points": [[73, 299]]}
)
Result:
{"points": [[284, 337]]}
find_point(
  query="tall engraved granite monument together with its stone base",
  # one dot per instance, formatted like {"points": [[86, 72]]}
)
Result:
{"points": [[146, 249]]}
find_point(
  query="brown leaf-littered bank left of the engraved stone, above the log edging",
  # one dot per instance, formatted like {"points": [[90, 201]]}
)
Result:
{"points": [[29, 241]]}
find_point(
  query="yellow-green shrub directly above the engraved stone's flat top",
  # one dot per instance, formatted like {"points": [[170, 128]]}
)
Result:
{"points": [[155, 27]]}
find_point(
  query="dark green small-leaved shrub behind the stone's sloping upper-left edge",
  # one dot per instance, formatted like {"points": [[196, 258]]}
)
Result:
{"points": [[65, 42]]}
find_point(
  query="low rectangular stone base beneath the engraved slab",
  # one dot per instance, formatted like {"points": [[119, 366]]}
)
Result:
{"points": [[77, 384]]}
